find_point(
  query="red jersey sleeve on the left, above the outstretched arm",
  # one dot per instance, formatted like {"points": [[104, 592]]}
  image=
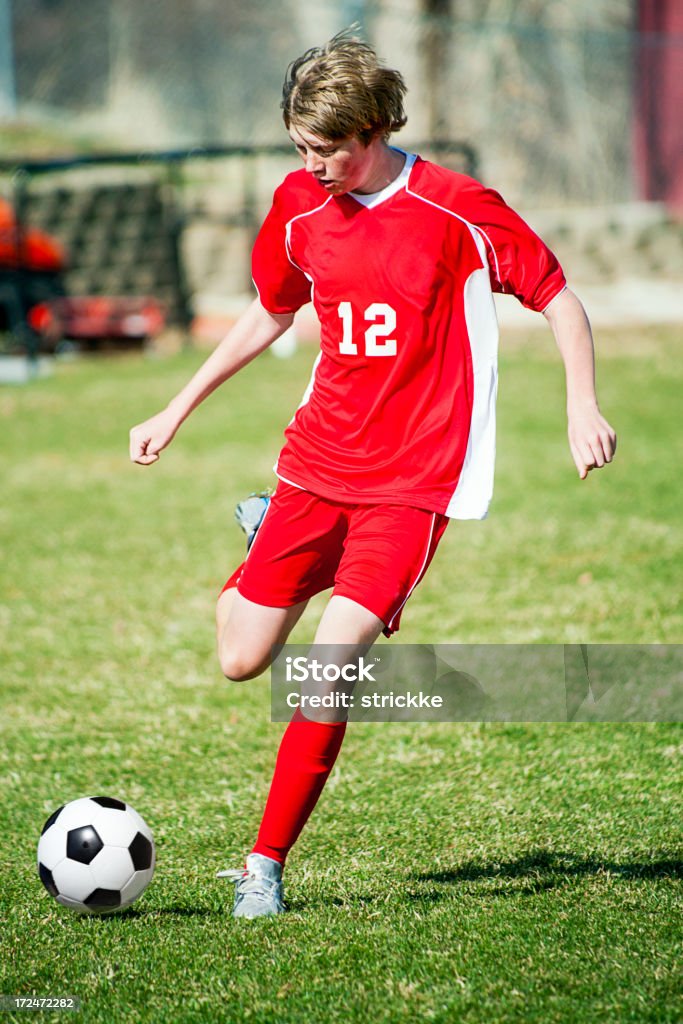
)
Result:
{"points": [[282, 287]]}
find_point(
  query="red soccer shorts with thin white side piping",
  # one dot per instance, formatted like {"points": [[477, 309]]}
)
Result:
{"points": [[373, 554]]}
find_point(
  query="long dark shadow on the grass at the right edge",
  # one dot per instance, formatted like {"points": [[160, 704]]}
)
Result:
{"points": [[545, 870]]}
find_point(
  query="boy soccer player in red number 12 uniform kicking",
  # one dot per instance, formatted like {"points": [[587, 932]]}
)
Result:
{"points": [[396, 434]]}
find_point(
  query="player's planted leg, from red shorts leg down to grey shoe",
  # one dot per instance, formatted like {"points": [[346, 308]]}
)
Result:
{"points": [[385, 575]]}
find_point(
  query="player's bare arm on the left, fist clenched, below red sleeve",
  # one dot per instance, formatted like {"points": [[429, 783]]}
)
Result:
{"points": [[255, 330]]}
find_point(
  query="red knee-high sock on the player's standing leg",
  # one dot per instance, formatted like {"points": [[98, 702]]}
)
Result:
{"points": [[307, 756]]}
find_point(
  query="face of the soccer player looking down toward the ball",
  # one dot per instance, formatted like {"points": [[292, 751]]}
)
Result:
{"points": [[340, 166]]}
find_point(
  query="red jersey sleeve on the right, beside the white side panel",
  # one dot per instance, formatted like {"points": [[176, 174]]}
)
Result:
{"points": [[521, 264]]}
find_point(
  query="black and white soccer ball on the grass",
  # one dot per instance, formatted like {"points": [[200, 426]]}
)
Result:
{"points": [[96, 856]]}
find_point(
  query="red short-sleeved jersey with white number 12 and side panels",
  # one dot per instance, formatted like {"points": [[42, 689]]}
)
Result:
{"points": [[401, 407]]}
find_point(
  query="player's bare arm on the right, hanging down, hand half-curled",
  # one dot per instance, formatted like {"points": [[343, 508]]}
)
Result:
{"points": [[592, 441]]}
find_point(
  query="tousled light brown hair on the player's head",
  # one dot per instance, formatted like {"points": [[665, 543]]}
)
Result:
{"points": [[341, 90]]}
